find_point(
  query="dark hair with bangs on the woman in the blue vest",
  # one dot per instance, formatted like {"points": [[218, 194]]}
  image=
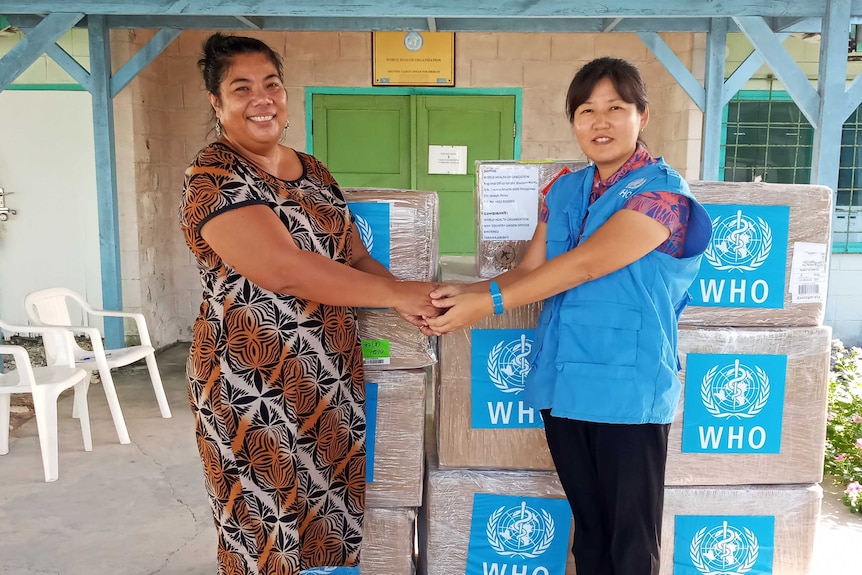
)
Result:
{"points": [[623, 75]]}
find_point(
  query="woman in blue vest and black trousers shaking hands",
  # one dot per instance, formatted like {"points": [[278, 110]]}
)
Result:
{"points": [[617, 246]]}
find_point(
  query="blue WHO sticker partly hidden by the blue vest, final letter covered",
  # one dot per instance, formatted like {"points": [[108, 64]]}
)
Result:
{"points": [[499, 365]]}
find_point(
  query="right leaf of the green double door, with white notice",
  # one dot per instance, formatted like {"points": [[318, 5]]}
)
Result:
{"points": [[486, 126]]}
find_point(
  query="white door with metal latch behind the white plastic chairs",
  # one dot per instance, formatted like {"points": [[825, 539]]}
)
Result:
{"points": [[47, 166]]}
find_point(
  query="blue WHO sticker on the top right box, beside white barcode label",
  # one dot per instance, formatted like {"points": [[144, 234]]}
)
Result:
{"points": [[744, 264]]}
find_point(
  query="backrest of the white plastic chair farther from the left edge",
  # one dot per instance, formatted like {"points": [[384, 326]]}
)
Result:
{"points": [[50, 307]]}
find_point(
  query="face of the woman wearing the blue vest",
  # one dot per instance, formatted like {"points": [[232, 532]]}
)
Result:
{"points": [[607, 127]]}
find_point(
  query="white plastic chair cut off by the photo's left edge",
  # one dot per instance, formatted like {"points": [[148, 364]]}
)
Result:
{"points": [[45, 385]]}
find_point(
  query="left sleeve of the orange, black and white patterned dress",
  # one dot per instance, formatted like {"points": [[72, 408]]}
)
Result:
{"points": [[213, 184]]}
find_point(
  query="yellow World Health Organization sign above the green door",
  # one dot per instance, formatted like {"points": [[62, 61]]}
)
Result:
{"points": [[414, 58]]}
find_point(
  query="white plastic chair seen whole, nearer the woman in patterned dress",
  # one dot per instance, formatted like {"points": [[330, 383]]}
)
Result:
{"points": [[50, 307]]}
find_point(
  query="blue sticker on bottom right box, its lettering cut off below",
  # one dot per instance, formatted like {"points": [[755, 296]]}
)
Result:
{"points": [[718, 545]]}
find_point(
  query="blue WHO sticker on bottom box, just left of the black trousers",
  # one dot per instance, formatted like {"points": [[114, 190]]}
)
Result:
{"points": [[511, 534]]}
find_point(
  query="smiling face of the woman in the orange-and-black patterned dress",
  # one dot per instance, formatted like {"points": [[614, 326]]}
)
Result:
{"points": [[251, 104]]}
